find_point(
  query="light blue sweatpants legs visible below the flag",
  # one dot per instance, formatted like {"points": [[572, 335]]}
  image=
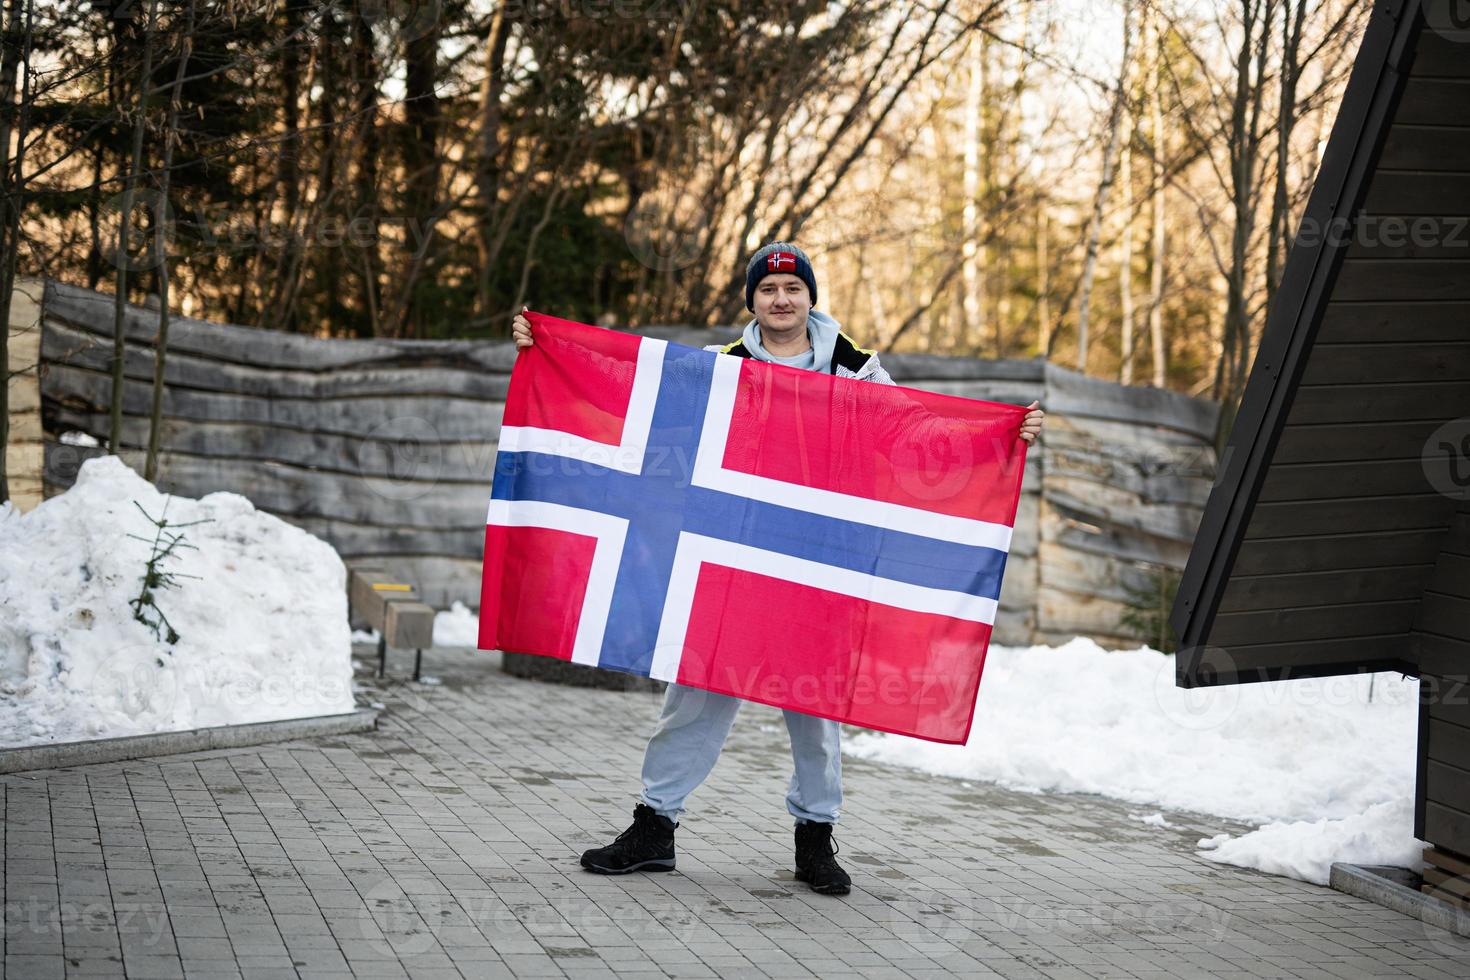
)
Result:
{"points": [[692, 734]]}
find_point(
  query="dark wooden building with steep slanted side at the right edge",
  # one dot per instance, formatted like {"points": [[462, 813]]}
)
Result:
{"points": [[1338, 534]]}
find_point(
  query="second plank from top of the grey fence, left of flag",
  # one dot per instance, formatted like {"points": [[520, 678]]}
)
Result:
{"points": [[411, 375]]}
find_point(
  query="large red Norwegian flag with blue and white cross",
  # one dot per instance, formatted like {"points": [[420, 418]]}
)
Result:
{"points": [[815, 543]]}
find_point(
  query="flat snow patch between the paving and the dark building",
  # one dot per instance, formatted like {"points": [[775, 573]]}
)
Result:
{"points": [[1328, 774]]}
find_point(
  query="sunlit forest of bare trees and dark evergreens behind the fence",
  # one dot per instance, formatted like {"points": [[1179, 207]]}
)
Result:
{"points": [[1111, 184]]}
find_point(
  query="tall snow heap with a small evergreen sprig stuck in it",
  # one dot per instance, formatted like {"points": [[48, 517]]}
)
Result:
{"points": [[262, 630]]}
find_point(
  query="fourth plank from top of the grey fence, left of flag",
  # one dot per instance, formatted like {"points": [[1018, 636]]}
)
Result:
{"points": [[396, 450]]}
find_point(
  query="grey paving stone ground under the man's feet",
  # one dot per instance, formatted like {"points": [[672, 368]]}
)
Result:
{"points": [[446, 846]]}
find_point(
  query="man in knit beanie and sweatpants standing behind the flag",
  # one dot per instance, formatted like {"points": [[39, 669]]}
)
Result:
{"points": [[781, 292]]}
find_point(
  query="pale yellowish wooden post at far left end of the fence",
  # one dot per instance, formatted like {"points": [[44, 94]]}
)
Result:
{"points": [[24, 450]]}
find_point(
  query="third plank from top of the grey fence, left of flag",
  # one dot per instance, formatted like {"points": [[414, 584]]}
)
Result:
{"points": [[431, 418]]}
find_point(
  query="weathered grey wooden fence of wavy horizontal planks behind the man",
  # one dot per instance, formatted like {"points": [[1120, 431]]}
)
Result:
{"points": [[386, 449]]}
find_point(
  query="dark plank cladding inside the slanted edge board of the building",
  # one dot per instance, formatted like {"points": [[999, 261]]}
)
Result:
{"points": [[1349, 524]]}
